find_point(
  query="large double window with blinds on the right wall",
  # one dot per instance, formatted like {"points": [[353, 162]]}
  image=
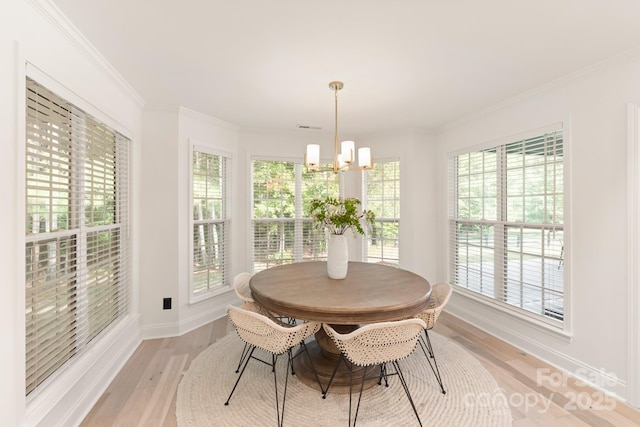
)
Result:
{"points": [[507, 223]]}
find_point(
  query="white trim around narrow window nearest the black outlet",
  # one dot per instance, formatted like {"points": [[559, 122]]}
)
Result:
{"points": [[193, 146]]}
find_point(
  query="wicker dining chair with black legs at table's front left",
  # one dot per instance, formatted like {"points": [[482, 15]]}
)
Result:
{"points": [[276, 338]]}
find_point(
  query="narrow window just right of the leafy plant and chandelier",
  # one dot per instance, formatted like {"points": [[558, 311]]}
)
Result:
{"points": [[381, 187]]}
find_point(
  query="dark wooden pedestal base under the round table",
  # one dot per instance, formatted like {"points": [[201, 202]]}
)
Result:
{"points": [[325, 356]]}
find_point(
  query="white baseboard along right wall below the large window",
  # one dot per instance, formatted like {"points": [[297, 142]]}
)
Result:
{"points": [[595, 377]]}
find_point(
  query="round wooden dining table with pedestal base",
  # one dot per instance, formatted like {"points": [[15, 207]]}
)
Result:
{"points": [[370, 293]]}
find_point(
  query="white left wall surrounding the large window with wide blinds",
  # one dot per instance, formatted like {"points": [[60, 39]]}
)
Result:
{"points": [[58, 57]]}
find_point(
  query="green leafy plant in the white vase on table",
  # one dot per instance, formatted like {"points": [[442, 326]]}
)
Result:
{"points": [[337, 215]]}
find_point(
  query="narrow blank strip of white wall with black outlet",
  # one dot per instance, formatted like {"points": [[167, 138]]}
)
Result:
{"points": [[159, 225]]}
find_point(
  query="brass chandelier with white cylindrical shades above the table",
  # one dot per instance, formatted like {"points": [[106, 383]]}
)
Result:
{"points": [[346, 159]]}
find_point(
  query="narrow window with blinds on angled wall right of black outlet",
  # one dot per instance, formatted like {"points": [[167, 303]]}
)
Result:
{"points": [[211, 223]]}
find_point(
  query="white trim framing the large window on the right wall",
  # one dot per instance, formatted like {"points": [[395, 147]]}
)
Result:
{"points": [[560, 329]]}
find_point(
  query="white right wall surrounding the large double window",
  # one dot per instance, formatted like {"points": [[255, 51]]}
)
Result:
{"points": [[593, 107]]}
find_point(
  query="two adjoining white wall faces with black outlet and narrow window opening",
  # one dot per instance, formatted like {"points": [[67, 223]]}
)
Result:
{"points": [[168, 133]]}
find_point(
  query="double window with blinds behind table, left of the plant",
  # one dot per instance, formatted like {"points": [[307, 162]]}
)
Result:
{"points": [[282, 230]]}
